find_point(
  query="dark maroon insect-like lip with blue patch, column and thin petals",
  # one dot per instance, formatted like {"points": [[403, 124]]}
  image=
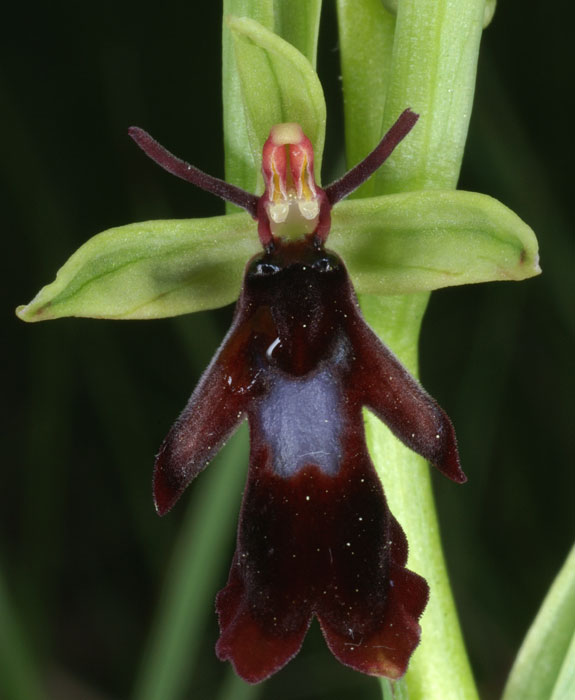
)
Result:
{"points": [[316, 537]]}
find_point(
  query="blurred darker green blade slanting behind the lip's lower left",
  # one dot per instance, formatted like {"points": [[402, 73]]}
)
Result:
{"points": [[197, 566]]}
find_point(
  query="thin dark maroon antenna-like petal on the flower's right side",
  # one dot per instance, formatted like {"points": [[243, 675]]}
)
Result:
{"points": [[362, 171]]}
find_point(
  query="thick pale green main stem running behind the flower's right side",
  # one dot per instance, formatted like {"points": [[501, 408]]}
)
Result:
{"points": [[434, 61]]}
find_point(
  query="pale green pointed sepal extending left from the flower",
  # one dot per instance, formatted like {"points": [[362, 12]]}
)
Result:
{"points": [[150, 270]]}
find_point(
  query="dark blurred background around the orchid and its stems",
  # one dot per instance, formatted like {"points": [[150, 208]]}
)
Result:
{"points": [[82, 554]]}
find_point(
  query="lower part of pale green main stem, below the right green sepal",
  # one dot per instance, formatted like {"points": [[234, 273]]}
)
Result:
{"points": [[439, 668]]}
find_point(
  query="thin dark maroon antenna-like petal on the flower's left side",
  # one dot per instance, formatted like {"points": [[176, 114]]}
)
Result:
{"points": [[181, 169]]}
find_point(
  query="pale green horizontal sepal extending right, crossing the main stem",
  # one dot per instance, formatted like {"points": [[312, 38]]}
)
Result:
{"points": [[420, 241]]}
